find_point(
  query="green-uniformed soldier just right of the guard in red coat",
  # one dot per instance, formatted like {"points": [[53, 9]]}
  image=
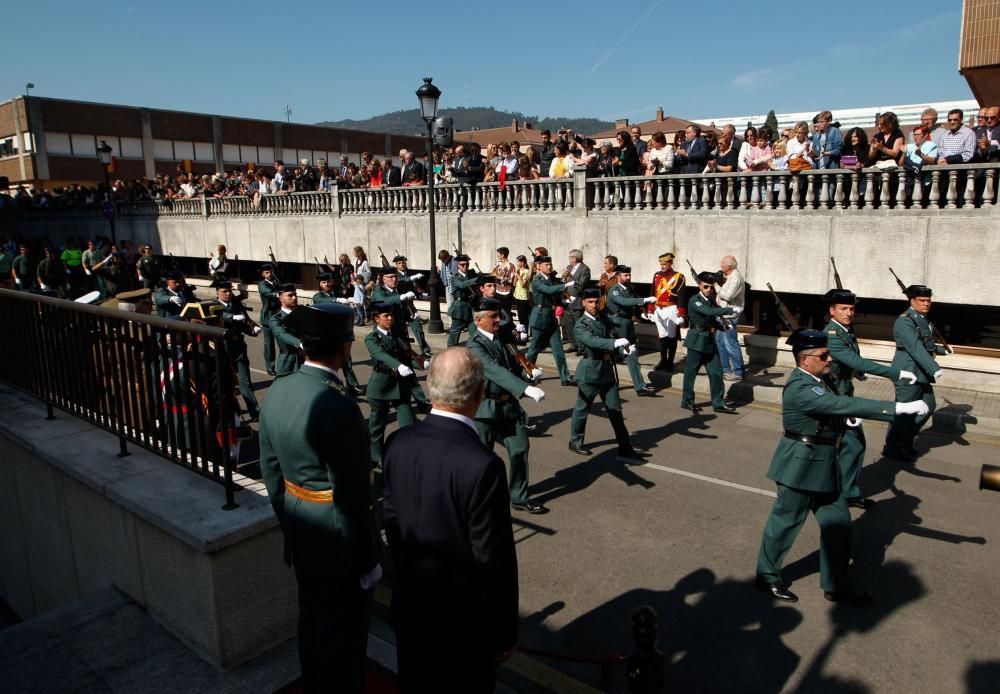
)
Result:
{"points": [[703, 318]]}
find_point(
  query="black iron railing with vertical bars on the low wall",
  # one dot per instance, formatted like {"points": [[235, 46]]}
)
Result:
{"points": [[165, 385]]}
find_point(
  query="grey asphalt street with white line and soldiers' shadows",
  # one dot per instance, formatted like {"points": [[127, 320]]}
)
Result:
{"points": [[681, 534]]}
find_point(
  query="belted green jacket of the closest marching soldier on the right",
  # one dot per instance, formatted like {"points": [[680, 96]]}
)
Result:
{"points": [[809, 406]]}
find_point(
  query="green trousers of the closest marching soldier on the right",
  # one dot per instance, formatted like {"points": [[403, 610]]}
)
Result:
{"points": [[787, 517]]}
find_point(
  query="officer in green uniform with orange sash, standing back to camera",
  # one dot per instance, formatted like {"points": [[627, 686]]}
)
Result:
{"points": [[314, 463]]}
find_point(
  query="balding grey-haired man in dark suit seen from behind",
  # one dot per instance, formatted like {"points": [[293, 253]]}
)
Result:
{"points": [[447, 517]]}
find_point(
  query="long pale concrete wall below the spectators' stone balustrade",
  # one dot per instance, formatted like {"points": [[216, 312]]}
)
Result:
{"points": [[950, 250]]}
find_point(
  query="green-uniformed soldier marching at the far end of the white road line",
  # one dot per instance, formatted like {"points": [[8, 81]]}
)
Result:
{"points": [[596, 375]]}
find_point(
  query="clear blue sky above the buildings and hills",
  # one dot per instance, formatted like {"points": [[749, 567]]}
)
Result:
{"points": [[574, 58]]}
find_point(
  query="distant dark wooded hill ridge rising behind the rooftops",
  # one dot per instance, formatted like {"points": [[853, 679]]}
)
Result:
{"points": [[409, 122]]}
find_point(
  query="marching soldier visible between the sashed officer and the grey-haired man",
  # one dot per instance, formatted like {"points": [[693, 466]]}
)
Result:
{"points": [[393, 381]]}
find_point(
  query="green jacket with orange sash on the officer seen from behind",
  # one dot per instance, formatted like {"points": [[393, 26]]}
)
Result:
{"points": [[313, 435]]}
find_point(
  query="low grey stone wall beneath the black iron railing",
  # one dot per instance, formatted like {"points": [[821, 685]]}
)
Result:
{"points": [[75, 519]]}
